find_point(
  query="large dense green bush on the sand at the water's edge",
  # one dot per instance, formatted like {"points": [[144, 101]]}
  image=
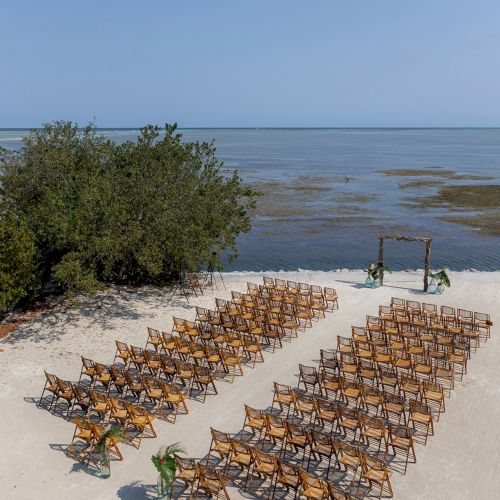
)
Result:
{"points": [[131, 213]]}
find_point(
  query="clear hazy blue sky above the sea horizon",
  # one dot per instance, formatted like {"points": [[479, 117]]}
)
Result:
{"points": [[250, 63]]}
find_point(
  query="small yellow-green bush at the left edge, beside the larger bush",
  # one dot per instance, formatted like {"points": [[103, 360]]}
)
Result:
{"points": [[18, 278]]}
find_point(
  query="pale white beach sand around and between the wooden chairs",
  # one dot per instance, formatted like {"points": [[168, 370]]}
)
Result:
{"points": [[461, 461]]}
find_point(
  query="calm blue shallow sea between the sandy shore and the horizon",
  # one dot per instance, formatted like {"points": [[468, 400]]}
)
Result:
{"points": [[326, 199]]}
